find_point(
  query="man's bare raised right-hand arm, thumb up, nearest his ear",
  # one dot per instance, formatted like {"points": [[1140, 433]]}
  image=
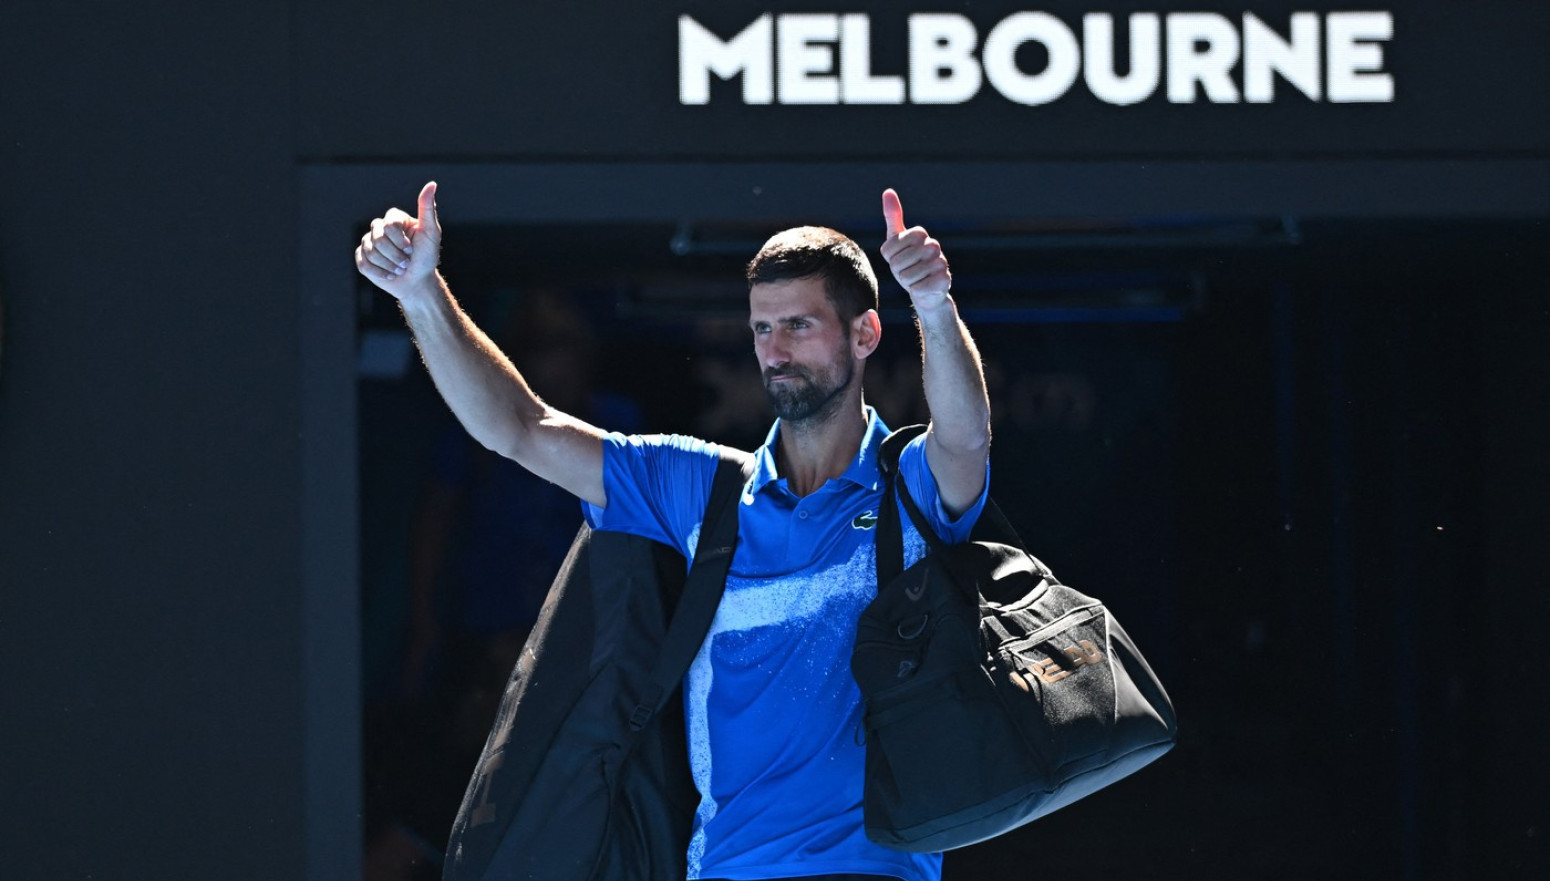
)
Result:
{"points": [[959, 441]]}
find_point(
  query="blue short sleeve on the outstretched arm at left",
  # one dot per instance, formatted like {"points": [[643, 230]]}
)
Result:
{"points": [[656, 486]]}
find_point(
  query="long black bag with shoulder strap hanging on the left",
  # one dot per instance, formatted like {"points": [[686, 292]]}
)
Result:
{"points": [[585, 775]]}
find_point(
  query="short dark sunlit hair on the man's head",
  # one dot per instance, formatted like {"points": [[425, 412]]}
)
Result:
{"points": [[819, 252]]}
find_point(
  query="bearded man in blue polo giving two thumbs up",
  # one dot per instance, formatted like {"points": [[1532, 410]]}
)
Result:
{"points": [[771, 708]]}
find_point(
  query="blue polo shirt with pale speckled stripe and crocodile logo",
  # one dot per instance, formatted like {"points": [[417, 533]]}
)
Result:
{"points": [[773, 711]]}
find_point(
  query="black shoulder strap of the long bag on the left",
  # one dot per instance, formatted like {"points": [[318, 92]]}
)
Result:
{"points": [[708, 578]]}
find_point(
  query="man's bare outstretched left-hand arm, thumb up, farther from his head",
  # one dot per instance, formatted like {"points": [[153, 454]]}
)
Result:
{"points": [[487, 395]]}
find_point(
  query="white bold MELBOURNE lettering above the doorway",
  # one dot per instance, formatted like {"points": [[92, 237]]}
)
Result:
{"points": [[1036, 58]]}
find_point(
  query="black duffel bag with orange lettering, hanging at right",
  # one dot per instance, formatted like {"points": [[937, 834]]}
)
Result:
{"points": [[994, 694]]}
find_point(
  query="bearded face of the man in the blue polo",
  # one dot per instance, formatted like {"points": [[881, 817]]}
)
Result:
{"points": [[804, 348]]}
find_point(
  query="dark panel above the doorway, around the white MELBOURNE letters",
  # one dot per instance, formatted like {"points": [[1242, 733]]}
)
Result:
{"points": [[604, 81]]}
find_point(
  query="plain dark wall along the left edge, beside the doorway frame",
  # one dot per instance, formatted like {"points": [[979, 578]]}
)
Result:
{"points": [[150, 477]]}
